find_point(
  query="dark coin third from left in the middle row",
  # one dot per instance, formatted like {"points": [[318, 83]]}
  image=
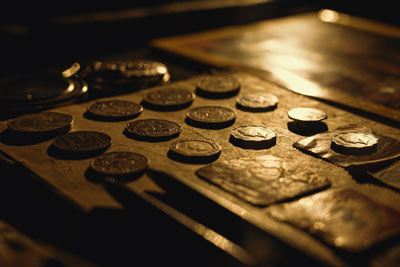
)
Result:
{"points": [[211, 117]]}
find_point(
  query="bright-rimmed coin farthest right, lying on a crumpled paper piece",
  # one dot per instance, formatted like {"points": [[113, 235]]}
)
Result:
{"points": [[354, 143]]}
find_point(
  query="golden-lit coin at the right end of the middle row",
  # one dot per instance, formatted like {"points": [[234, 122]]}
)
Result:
{"points": [[257, 102]]}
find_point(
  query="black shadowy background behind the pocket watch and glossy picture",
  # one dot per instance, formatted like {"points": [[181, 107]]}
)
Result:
{"points": [[44, 34]]}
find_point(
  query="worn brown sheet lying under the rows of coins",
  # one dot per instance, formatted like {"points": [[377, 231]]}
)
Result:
{"points": [[68, 177]]}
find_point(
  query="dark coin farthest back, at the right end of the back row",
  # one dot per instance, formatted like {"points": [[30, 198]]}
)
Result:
{"points": [[218, 86]]}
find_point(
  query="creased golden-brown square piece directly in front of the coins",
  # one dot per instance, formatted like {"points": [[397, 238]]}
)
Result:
{"points": [[263, 180]]}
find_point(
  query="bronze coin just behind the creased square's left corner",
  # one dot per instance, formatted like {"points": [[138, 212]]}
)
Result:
{"points": [[195, 148]]}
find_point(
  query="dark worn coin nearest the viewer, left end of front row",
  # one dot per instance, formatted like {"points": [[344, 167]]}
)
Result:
{"points": [[119, 163]]}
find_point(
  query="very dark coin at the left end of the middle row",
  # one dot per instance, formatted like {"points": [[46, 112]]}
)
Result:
{"points": [[82, 142]]}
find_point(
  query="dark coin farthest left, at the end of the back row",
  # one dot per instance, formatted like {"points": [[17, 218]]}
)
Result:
{"points": [[43, 123]]}
